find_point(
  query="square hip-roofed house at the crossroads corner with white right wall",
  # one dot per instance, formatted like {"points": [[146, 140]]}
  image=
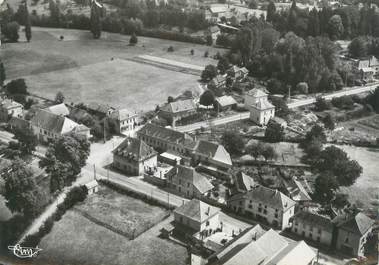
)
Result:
{"points": [[133, 156]]}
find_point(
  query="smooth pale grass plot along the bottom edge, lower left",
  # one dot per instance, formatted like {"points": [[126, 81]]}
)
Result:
{"points": [[76, 240]]}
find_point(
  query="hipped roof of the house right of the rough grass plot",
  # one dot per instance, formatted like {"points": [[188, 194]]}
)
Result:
{"points": [[197, 210]]}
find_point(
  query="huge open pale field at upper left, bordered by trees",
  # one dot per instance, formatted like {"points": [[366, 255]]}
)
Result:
{"points": [[83, 69]]}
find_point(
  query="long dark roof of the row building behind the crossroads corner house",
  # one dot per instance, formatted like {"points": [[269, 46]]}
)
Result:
{"points": [[166, 134]]}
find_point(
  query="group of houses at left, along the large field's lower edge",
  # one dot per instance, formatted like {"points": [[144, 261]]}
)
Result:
{"points": [[51, 122]]}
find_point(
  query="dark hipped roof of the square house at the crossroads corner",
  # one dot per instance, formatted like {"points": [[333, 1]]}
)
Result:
{"points": [[134, 149]]}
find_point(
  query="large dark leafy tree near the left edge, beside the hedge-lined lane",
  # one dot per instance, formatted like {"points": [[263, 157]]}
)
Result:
{"points": [[21, 191]]}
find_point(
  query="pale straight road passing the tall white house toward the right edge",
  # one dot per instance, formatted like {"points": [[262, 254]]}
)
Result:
{"points": [[298, 103]]}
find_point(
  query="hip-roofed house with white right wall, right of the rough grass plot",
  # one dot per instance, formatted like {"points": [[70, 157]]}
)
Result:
{"points": [[197, 218]]}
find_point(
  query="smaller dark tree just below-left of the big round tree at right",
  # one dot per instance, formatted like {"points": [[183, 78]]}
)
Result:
{"points": [[325, 188]]}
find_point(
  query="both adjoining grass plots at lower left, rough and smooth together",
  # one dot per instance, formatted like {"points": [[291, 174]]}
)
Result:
{"points": [[76, 239]]}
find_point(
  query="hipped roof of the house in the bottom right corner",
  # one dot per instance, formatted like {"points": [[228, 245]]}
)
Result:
{"points": [[360, 223]]}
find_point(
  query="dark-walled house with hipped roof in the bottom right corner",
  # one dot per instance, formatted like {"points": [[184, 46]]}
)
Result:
{"points": [[352, 233]]}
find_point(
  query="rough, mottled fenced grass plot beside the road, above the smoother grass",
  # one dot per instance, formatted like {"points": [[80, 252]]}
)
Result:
{"points": [[129, 215]]}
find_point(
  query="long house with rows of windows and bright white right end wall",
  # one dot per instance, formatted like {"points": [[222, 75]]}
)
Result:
{"points": [[266, 205]]}
